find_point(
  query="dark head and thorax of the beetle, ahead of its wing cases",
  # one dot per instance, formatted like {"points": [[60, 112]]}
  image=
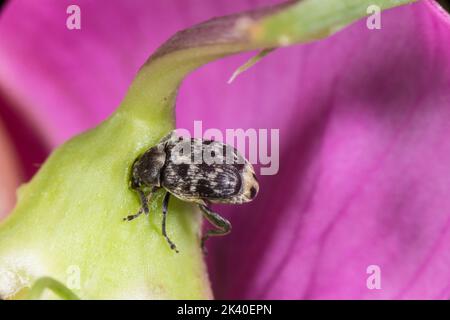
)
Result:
{"points": [[146, 171]]}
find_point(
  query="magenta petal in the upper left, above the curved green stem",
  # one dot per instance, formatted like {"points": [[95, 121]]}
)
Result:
{"points": [[66, 81]]}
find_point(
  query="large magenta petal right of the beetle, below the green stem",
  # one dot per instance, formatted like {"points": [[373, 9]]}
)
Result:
{"points": [[364, 172]]}
